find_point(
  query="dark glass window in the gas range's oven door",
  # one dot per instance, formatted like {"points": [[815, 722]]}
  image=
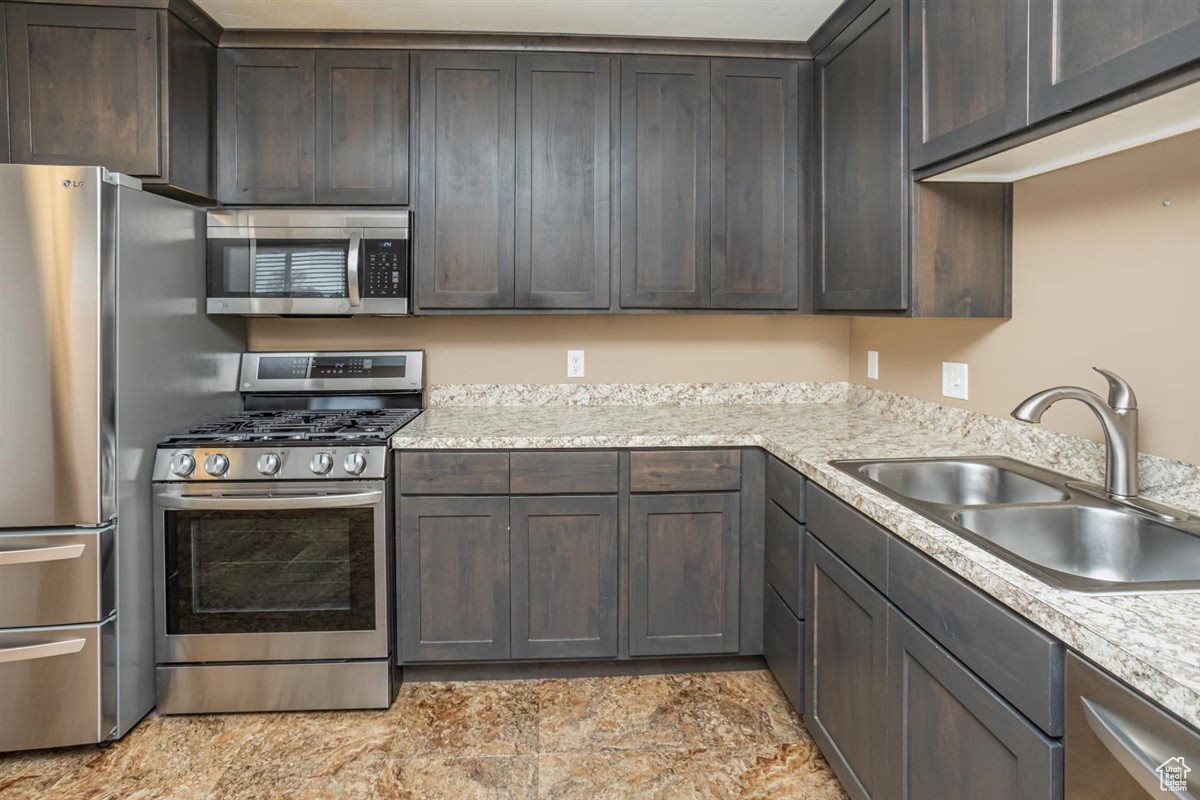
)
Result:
{"points": [[271, 572]]}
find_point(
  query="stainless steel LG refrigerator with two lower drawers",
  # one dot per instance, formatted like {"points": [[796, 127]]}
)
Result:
{"points": [[105, 347]]}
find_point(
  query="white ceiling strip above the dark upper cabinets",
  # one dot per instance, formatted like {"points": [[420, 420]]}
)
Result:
{"points": [[740, 20]]}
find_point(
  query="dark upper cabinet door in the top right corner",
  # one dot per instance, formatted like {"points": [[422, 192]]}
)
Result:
{"points": [[1082, 51]]}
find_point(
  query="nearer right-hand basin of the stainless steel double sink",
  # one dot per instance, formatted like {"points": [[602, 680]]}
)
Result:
{"points": [[1091, 548]]}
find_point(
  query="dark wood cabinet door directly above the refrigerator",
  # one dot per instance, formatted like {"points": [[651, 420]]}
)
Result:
{"points": [[85, 87]]}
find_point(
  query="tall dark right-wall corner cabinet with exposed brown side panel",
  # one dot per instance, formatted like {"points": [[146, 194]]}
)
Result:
{"points": [[885, 243]]}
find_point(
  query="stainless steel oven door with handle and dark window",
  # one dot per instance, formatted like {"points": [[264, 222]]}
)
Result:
{"points": [[272, 572]]}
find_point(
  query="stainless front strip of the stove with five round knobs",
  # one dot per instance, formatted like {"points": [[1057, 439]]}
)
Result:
{"points": [[296, 464]]}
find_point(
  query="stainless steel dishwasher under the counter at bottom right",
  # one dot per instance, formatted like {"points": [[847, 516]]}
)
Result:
{"points": [[1121, 747]]}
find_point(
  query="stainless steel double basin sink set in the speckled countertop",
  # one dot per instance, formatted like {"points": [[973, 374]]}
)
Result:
{"points": [[1045, 522]]}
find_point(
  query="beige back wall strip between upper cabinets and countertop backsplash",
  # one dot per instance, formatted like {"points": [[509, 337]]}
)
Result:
{"points": [[617, 350]]}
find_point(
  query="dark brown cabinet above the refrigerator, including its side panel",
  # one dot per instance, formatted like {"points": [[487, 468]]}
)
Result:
{"points": [[129, 89]]}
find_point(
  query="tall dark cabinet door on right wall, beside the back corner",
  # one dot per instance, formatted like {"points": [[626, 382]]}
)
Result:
{"points": [[862, 255]]}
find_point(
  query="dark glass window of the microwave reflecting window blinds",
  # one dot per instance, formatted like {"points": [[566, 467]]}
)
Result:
{"points": [[280, 268]]}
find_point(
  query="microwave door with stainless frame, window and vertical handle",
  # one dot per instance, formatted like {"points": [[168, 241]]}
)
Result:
{"points": [[255, 270]]}
